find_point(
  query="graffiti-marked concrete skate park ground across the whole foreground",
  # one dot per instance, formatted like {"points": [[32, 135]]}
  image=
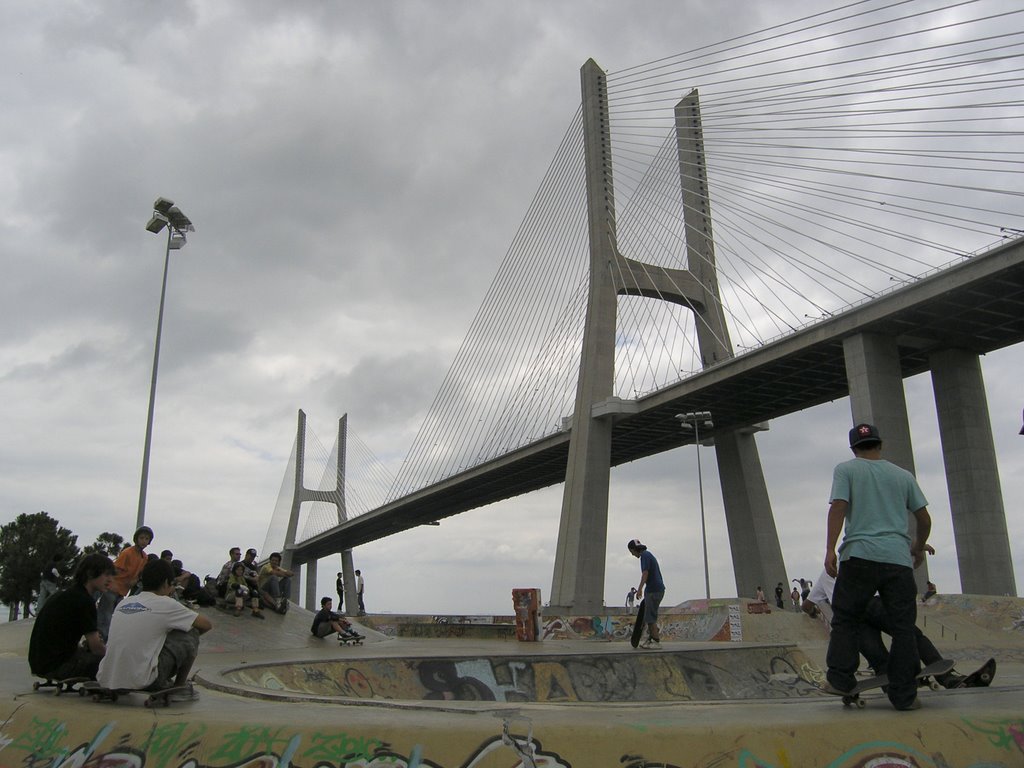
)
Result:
{"points": [[734, 686]]}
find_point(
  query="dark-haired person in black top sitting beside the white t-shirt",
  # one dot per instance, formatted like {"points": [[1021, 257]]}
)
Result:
{"points": [[55, 653]]}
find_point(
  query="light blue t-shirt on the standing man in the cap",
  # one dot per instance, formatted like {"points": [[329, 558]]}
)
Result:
{"points": [[881, 497]]}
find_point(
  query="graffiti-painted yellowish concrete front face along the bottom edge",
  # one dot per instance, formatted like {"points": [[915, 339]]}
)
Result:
{"points": [[31, 742]]}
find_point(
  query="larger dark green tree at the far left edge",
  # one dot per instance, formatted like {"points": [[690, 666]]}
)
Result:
{"points": [[27, 546]]}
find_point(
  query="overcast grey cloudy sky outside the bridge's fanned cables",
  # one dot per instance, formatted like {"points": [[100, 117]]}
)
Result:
{"points": [[356, 174]]}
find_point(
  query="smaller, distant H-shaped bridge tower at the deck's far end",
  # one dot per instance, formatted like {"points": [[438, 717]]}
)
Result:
{"points": [[337, 498]]}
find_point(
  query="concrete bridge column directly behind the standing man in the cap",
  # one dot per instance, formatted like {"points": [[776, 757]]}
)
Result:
{"points": [[877, 397]]}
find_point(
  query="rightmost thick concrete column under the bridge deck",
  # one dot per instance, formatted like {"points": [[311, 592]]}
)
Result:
{"points": [[972, 475]]}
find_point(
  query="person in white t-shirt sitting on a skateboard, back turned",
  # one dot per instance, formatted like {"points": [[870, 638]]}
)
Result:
{"points": [[154, 639]]}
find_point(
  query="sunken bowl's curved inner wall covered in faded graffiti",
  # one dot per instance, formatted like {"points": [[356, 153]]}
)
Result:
{"points": [[693, 675]]}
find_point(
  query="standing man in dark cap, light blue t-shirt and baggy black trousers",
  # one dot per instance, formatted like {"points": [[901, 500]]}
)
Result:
{"points": [[873, 499]]}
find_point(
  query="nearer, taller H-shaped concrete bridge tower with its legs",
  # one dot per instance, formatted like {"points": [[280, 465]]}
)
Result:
{"points": [[578, 585]]}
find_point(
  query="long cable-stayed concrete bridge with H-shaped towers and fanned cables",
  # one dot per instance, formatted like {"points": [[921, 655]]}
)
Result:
{"points": [[814, 222]]}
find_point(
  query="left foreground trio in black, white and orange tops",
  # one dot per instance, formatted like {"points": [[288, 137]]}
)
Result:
{"points": [[143, 642]]}
